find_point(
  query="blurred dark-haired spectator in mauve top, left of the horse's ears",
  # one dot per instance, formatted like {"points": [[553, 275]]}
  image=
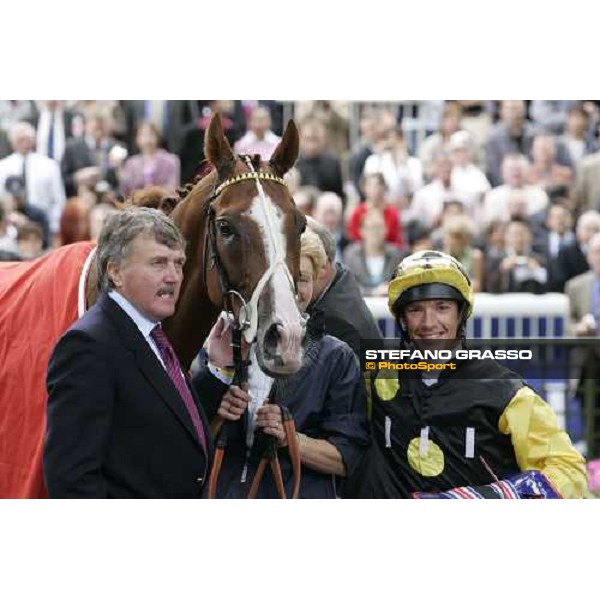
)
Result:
{"points": [[152, 166]]}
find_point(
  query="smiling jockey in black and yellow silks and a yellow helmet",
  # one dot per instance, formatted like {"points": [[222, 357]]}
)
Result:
{"points": [[476, 431]]}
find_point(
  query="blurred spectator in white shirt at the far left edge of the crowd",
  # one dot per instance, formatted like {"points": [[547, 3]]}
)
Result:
{"points": [[40, 175]]}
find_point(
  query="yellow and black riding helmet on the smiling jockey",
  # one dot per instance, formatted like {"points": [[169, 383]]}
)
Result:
{"points": [[430, 275]]}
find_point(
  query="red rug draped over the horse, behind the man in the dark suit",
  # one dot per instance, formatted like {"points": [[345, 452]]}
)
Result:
{"points": [[39, 301]]}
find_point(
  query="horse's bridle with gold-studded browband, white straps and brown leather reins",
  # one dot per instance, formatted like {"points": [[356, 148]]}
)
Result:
{"points": [[246, 323]]}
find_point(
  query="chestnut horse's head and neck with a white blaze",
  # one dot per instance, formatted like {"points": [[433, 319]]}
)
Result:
{"points": [[243, 231]]}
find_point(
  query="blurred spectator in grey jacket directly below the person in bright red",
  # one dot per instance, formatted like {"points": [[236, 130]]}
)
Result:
{"points": [[372, 260]]}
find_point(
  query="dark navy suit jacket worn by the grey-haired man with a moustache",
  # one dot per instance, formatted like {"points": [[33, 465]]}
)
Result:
{"points": [[117, 427]]}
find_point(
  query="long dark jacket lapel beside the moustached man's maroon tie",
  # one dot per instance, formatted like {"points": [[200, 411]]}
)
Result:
{"points": [[149, 364]]}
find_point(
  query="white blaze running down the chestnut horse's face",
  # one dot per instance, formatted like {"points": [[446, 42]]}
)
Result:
{"points": [[285, 310]]}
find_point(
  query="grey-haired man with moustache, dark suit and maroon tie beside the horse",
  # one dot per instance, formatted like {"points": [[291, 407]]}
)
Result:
{"points": [[123, 421]]}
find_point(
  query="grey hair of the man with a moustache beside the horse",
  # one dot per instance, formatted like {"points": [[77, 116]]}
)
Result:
{"points": [[122, 228]]}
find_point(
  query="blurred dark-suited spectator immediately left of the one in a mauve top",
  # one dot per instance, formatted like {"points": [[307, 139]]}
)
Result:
{"points": [[93, 159]]}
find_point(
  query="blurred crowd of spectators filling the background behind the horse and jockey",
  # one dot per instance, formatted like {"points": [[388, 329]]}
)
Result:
{"points": [[510, 188]]}
